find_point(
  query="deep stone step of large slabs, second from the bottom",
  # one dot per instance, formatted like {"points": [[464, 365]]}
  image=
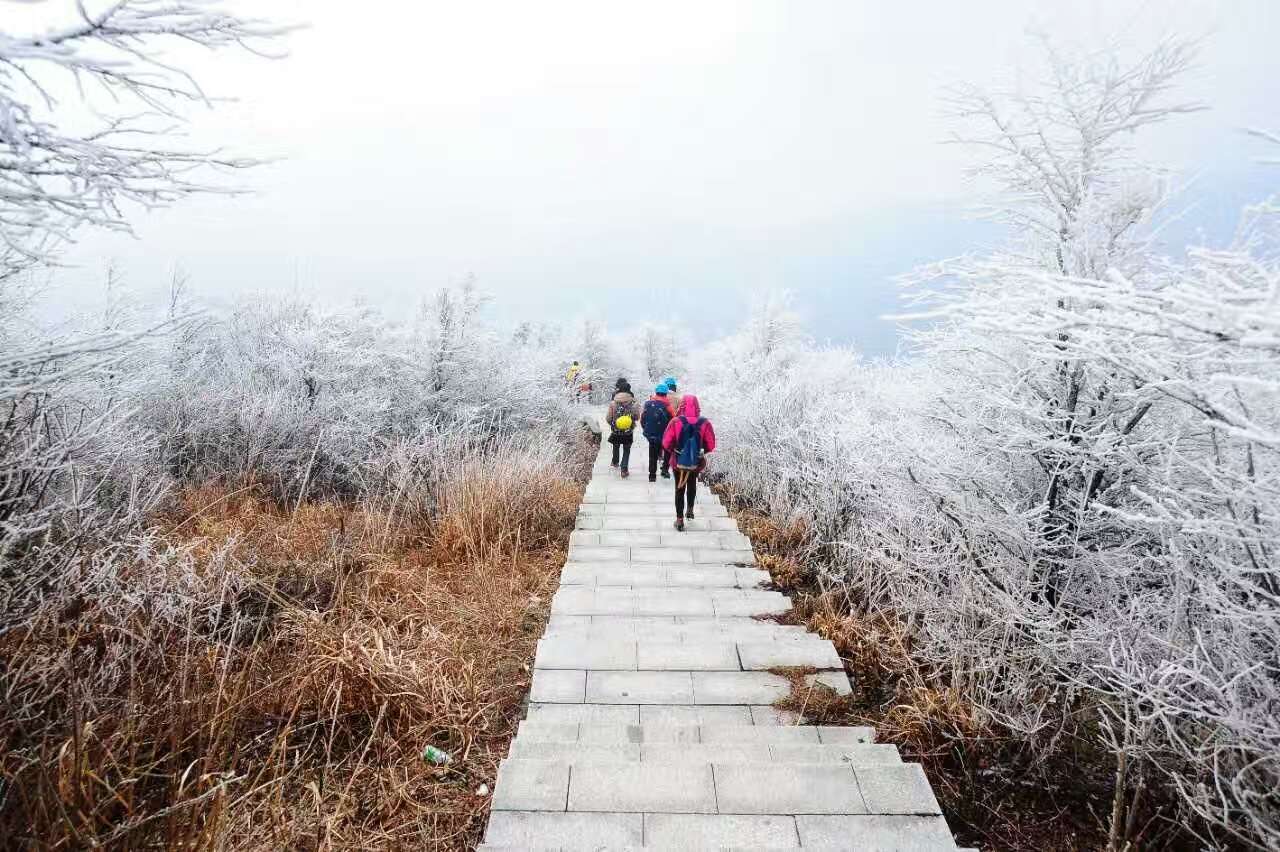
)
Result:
{"points": [[642, 787]]}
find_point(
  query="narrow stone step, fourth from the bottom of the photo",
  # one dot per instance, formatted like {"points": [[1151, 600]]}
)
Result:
{"points": [[720, 734]]}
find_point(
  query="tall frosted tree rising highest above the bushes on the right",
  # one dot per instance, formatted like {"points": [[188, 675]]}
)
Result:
{"points": [[1078, 201]]}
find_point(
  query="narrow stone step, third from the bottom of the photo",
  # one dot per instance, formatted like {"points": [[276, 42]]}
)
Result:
{"points": [[739, 753]]}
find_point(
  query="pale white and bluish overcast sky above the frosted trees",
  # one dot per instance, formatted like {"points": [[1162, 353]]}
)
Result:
{"points": [[642, 159]]}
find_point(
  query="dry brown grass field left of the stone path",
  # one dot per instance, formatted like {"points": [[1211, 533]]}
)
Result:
{"points": [[294, 711]]}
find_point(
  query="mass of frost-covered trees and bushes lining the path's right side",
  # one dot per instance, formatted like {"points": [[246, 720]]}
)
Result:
{"points": [[1068, 494]]}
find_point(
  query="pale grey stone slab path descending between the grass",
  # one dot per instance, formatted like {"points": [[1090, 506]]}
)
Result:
{"points": [[650, 721]]}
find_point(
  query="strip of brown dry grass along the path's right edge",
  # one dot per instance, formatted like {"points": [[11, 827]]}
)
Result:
{"points": [[996, 793]]}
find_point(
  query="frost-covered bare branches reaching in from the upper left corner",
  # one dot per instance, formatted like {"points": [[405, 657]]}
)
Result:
{"points": [[88, 108]]}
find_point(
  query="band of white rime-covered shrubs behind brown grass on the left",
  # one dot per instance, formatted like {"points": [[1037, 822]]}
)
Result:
{"points": [[276, 395]]}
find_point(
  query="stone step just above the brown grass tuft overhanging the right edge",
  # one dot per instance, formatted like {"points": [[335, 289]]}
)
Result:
{"points": [[624, 656]]}
